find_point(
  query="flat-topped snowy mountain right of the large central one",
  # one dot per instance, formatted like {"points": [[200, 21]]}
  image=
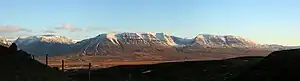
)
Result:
{"points": [[207, 40]]}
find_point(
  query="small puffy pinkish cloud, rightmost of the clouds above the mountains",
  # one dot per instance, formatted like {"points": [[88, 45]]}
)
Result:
{"points": [[68, 27]]}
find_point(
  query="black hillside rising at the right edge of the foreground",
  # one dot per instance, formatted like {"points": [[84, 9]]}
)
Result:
{"points": [[278, 66]]}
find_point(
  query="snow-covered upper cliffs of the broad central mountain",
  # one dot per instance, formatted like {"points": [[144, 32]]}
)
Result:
{"points": [[135, 38]]}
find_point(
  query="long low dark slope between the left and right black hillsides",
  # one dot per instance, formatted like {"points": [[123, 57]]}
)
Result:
{"points": [[215, 70]]}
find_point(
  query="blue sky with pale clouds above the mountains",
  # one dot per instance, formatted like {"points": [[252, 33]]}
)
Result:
{"points": [[263, 21]]}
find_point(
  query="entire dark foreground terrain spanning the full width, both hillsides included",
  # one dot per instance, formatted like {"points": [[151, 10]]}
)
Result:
{"points": [[278, 66]]}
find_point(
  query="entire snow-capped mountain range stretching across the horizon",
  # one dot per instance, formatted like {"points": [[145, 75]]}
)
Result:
{"points": [[129, 43]]}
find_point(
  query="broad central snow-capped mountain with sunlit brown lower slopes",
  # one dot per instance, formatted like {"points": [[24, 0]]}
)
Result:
{"points": [[124, 42]]}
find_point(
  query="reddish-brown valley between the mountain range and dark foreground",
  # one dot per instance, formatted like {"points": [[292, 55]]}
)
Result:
{"points": [[138, 59]]}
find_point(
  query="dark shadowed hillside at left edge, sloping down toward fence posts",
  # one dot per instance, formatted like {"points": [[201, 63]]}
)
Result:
{"points": [[19, 66]]}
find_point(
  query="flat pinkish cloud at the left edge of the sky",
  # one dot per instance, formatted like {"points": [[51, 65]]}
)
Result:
{"points": [[13, 29]]}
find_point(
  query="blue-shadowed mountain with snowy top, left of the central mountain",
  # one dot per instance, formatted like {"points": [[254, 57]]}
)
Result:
{"points": [[44, 44]]}
